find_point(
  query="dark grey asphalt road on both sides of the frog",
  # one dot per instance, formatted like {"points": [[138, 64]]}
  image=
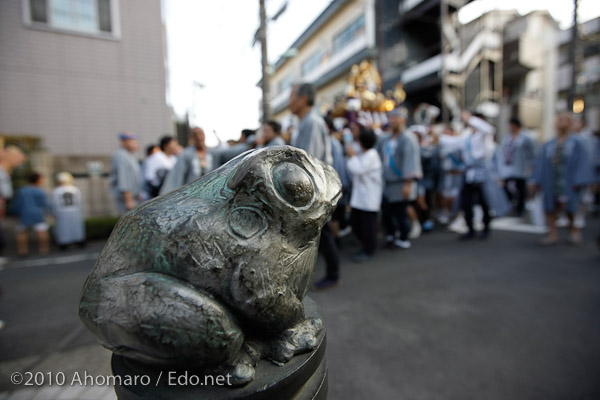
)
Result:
{"points": [[500, 319]]}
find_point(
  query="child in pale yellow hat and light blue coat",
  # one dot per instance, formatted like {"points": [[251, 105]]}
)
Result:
{"points": [[66, 204]]}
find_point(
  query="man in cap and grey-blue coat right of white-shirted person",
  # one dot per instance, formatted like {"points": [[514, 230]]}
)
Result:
{"points": [[401, 157]]}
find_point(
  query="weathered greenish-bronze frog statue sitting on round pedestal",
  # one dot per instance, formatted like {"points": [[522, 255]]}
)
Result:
{"points": [[212, 275]]}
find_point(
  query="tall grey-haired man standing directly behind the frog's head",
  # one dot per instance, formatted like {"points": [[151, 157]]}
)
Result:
{"points": [[312, 136]]}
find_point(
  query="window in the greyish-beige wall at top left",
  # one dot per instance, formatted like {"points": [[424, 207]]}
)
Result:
{"points": [[85, 16]]}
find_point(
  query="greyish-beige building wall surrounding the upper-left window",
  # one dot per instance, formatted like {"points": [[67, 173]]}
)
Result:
{"points": [[76, 91]]}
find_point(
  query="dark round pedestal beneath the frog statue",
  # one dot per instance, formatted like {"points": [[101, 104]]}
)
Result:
{"points": [[303, 377]]}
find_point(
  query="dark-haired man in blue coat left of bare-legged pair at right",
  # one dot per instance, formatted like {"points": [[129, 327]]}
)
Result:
{"points": [[514, 160]]}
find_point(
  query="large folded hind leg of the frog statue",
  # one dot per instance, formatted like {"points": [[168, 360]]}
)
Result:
{"points": [[158, 319]]}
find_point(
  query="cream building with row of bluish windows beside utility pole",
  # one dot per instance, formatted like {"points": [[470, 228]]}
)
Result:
{"points": [[341, 36]]}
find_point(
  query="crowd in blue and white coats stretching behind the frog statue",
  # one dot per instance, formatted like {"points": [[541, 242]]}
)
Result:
{"points": [[398, 179]]}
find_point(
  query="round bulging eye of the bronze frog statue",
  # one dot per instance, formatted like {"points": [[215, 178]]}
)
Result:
{"points": [[293, 184]]}
